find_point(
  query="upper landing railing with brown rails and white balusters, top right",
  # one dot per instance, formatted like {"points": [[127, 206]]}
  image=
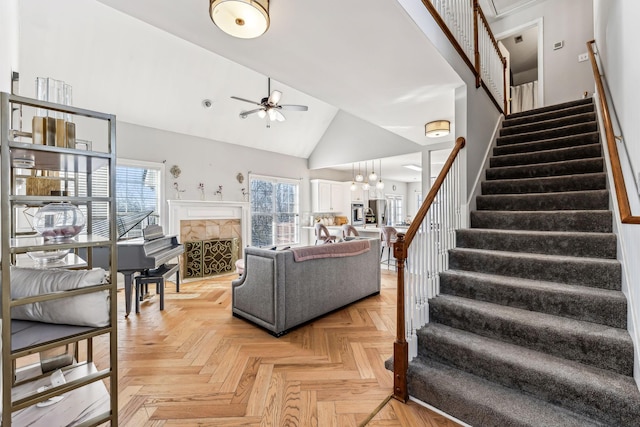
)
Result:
{"points": [[466, 27]]}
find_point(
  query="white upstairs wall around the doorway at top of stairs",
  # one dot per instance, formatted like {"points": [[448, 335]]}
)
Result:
{"points": [[571, 21]]}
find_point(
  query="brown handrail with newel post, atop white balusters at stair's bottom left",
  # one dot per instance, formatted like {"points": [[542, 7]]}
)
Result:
{"points": [[400, 252]]}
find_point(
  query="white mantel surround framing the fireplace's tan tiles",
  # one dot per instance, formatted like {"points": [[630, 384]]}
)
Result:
{"points": [[184, 210]]}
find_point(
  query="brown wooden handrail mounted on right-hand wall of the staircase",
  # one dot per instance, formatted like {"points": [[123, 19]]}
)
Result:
{"points": [[616, 169]]}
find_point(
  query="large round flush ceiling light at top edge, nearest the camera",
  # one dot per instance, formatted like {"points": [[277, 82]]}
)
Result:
{"points": [[245, 19]]}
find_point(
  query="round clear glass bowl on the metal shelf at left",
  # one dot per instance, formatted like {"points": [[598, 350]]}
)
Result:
{"points": [[57, 221]]}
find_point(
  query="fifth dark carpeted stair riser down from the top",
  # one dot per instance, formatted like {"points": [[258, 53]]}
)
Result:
{"points": [[550, 156]]}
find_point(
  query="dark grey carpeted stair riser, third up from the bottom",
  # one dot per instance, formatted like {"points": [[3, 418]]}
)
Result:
{"points": [[614, 355]]}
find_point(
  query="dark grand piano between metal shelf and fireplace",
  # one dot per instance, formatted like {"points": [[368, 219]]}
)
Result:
{"points": [[149, 253]]}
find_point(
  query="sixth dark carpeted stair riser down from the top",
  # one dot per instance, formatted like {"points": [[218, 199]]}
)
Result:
{"points": [[572, 167]]}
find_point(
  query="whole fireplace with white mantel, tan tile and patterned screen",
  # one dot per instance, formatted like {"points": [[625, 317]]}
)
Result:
{"points": [[213, 234]]}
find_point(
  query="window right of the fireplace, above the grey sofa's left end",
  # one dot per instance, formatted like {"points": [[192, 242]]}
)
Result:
{"points": [[274, 211]]}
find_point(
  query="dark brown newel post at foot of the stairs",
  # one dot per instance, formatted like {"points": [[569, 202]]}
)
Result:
{"points": [[400, 346]]}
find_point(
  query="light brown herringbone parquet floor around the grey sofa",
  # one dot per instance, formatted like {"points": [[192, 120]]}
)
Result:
{"points": [[194, 364]]}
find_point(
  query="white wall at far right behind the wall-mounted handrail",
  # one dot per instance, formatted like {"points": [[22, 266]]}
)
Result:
{"points": [[616, 33]]}
